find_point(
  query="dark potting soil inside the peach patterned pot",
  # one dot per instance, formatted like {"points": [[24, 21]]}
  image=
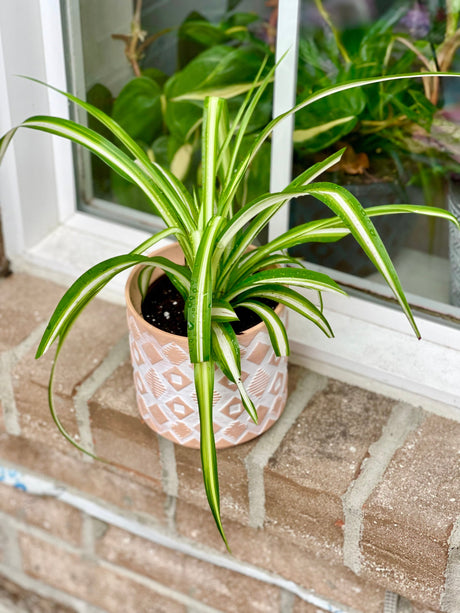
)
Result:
{"points": [[163, 307]]}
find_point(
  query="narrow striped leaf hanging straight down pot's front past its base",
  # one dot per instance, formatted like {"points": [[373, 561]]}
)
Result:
{"points": [[204, 385]]}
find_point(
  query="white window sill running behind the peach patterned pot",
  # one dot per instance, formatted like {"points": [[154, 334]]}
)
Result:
{"points": [[372, 343]]}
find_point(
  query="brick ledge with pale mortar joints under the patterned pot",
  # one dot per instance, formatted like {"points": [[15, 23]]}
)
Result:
{"points": [[347, 478]]}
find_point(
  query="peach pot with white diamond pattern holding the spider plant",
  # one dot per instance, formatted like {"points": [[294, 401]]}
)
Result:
{"points": [[164, 382]]}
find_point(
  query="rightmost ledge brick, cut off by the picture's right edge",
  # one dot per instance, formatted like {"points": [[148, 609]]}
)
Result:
{"points": [[409, 517]]}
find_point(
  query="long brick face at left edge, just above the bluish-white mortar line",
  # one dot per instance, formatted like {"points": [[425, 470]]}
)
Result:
{"points": [[120, 488]]}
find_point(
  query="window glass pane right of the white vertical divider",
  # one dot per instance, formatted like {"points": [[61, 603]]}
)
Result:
{"points": [[391, 156]]}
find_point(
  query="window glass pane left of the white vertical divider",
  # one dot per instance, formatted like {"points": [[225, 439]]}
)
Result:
{"points": [[148, 63]]}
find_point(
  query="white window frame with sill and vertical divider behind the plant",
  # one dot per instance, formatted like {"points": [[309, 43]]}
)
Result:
{"points": [[46, 234]]}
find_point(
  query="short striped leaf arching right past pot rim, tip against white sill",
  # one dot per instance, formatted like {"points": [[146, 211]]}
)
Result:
{"points": [[290, 298]]}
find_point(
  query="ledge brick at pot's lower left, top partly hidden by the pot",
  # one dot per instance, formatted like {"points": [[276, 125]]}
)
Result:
{"points": [[118, 432]]}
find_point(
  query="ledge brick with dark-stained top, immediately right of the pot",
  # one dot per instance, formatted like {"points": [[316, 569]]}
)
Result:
{"points": [[318, 459]]}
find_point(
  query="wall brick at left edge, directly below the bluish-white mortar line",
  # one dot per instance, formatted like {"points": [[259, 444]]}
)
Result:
{"points": [[48, 514]]}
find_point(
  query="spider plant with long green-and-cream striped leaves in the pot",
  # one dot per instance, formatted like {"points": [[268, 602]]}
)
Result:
{"points": [[220, 272]]}
